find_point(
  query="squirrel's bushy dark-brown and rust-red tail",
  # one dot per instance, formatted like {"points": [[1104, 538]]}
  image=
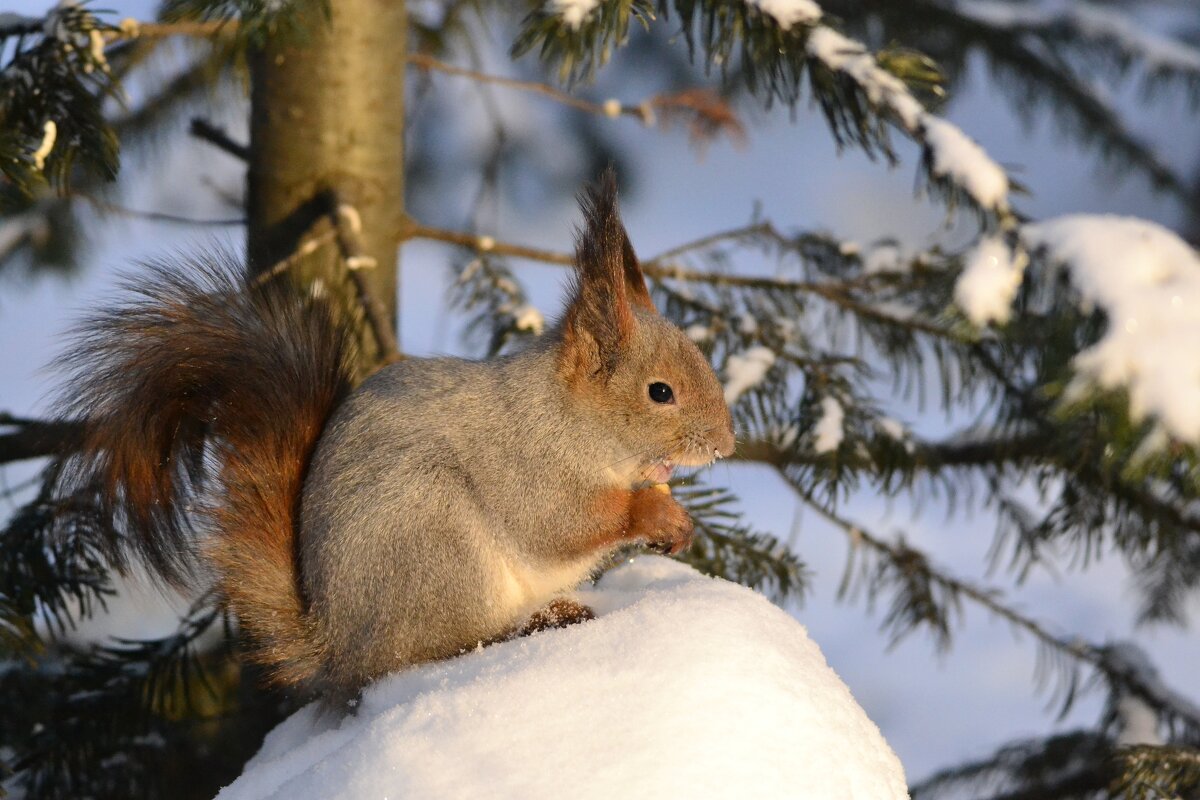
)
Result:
{"points": [[205, 400]]}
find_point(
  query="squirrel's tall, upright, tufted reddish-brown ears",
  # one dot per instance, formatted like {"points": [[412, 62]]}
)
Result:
{"points": [[608, 281]]}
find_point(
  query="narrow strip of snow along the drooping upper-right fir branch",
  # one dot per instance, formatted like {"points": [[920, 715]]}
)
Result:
{"points": [[953, 154]]}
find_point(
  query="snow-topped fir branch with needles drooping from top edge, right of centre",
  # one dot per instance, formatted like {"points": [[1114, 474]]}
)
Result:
{"points": [[772, 46]]}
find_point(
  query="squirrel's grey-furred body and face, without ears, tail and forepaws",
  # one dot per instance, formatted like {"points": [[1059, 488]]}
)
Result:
{"points": [[448, 500]]}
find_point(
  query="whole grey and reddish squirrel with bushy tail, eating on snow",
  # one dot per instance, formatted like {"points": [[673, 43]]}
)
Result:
{"points": [[441, 504]]}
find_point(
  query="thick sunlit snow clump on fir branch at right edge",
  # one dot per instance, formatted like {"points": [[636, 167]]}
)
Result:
{"points": [[1148, 282]]}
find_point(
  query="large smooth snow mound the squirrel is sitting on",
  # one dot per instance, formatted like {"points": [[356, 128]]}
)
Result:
{"points": [[685, 687]]}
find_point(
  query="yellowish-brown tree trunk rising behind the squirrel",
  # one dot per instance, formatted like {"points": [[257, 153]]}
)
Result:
{"points": [[328, 125]]}
